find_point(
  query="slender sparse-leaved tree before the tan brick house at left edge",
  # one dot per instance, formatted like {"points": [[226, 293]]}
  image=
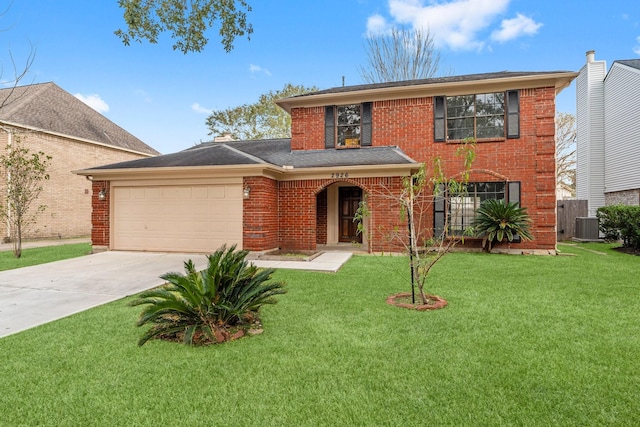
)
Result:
{"points": [[23, 172]]}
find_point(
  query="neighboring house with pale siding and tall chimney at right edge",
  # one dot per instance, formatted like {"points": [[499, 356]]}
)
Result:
{"points": [[608, 140]]}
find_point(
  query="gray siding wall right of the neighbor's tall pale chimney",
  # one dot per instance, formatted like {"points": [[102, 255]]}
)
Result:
{"points": [[622, 128]]}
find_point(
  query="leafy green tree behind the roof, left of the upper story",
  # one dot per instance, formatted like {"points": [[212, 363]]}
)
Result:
{"points": [[263, 119]]}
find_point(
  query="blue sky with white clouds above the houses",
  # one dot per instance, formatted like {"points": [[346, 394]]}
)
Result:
{"points": [[163, 97]]}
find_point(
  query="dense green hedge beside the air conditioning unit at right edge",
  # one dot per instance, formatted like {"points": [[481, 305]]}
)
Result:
{"points": [[619, 222]]}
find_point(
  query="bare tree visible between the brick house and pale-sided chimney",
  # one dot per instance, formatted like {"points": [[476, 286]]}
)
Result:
{"points": [[566, 150]]}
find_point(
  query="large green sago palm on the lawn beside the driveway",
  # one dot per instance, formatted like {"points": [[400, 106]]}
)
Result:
{"points": [[208, 306]]}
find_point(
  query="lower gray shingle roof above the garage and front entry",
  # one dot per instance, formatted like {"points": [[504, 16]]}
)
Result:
{"points": [[276, 152]]}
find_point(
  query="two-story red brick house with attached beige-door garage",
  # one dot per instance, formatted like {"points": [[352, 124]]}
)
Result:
{"points": [[347, 143]]}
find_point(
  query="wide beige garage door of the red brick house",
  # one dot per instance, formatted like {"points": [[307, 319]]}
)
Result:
{"points": [[189, 218]]}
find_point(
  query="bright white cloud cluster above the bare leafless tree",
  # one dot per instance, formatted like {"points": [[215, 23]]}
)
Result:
{"points": [[457, 24]]}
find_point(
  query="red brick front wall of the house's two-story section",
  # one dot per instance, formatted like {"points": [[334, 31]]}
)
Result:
{"points": [[408, 123]]}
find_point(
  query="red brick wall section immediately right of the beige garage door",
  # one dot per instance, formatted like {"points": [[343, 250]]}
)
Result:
{"points": [[260, 214]]}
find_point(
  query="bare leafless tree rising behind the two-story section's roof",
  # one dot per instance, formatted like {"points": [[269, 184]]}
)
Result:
{"points": [[401, 54]]}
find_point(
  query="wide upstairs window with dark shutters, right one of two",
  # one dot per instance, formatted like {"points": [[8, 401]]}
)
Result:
{"points": [[485, 116]]}
